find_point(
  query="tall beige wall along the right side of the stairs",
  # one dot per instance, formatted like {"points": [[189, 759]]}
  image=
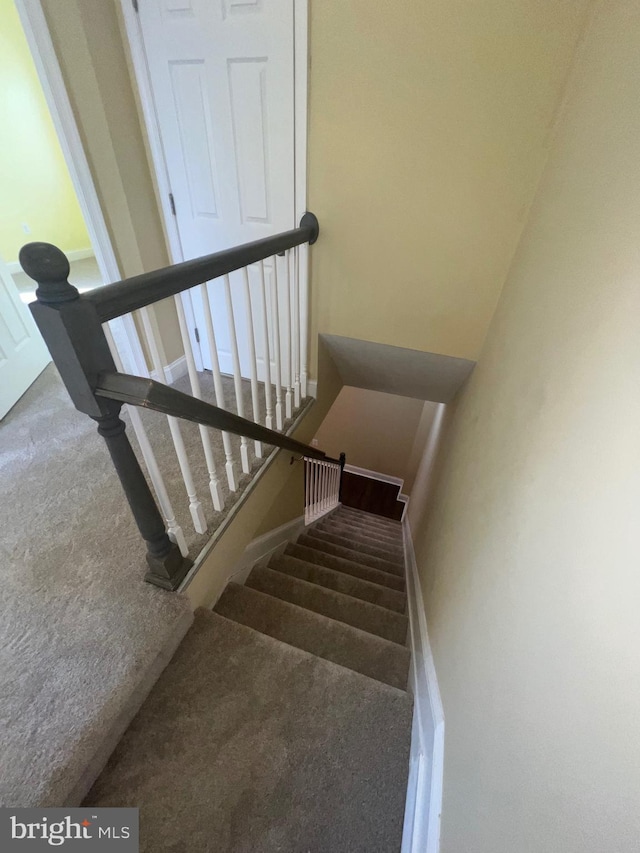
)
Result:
{"points": [[531, 563]]}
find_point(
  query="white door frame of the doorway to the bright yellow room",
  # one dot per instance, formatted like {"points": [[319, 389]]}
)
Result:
{"points": [[39, 40]]}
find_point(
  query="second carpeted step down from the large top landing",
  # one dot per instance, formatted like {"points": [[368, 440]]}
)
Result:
{"points": [[336, 605]]}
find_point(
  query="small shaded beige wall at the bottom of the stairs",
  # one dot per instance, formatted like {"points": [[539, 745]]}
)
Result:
{"points": [[376, 431]]}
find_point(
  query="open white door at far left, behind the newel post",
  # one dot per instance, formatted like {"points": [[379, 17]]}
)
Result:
{"points": [[23, 354]]}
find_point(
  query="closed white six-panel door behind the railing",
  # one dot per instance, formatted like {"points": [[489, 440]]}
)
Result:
{"points": [[222, 79]]}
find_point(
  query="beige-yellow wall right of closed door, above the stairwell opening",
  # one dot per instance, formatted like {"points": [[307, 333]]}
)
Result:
{"points": [[428, 131]]}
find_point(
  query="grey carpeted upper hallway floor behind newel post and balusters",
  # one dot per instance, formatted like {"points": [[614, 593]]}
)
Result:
{"points": [[79, 627]]}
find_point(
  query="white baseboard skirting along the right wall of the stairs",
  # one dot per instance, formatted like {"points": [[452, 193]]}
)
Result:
{"points": [[421, 832]]}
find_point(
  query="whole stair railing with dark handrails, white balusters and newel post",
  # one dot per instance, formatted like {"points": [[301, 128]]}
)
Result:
{"points": [[74, 328]]}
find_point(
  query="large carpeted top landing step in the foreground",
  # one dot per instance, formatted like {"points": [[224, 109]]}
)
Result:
{"points": [[248, 745]]}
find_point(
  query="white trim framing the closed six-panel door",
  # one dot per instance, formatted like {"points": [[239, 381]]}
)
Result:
{"points": [[133, 30]]}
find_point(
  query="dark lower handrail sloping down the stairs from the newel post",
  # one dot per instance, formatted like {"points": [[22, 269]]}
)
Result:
{"points": [[149, 394]]}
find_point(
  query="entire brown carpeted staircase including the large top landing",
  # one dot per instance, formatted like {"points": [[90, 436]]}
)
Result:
{"points": [[283, 721]]}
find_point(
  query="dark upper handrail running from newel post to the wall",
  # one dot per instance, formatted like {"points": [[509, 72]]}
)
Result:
{"points": [[121, 297]]}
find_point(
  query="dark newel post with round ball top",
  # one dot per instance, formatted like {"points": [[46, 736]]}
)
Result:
{"points": [[74, 335]]}
